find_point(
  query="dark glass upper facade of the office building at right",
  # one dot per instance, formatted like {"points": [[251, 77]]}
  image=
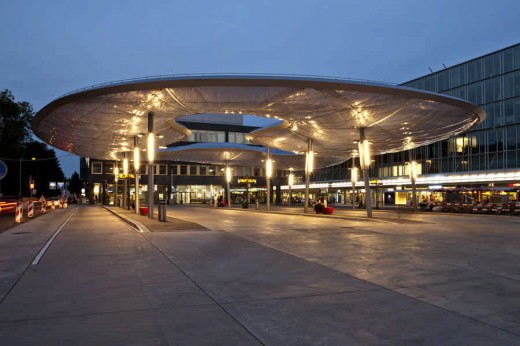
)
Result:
{"points": [[492, 82]]}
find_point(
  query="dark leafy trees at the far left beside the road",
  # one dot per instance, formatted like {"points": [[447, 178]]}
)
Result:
{"points": [[17, 148]]}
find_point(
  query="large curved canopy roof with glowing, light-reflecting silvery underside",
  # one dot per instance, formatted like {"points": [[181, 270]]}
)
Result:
{"points": [[100, 122]]}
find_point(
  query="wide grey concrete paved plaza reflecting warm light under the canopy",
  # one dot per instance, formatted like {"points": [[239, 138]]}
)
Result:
{"points": [[234, 277]]}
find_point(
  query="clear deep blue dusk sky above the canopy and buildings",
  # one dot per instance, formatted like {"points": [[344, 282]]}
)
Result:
{"points": [[49, 48]]}
